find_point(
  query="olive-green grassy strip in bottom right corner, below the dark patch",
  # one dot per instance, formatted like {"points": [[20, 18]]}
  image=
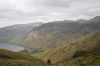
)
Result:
{"points": [[81, 61]]}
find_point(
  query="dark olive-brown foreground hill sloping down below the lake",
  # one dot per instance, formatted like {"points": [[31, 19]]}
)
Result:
{"points": [[9, 58]]}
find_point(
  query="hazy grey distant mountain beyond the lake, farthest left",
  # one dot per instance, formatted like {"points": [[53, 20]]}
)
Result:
{"points": [[16, 30]]}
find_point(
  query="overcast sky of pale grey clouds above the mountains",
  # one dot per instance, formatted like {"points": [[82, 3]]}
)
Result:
{"points": [[28, 11]]}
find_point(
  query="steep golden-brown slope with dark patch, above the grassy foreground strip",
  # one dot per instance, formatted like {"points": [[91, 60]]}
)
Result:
{"points": [[88, 45]]}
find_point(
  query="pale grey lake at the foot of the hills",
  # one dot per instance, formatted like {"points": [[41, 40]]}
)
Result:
{"points": [[11, 47]]}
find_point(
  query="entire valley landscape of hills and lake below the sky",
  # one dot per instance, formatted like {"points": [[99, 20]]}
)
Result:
{"points": [[59, 43]]}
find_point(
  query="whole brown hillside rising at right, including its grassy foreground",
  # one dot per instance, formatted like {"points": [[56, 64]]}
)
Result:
{"points": [[84, 49]]}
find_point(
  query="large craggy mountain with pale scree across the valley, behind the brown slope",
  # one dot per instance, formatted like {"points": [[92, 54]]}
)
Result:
{"points": [[54, 34]]}
